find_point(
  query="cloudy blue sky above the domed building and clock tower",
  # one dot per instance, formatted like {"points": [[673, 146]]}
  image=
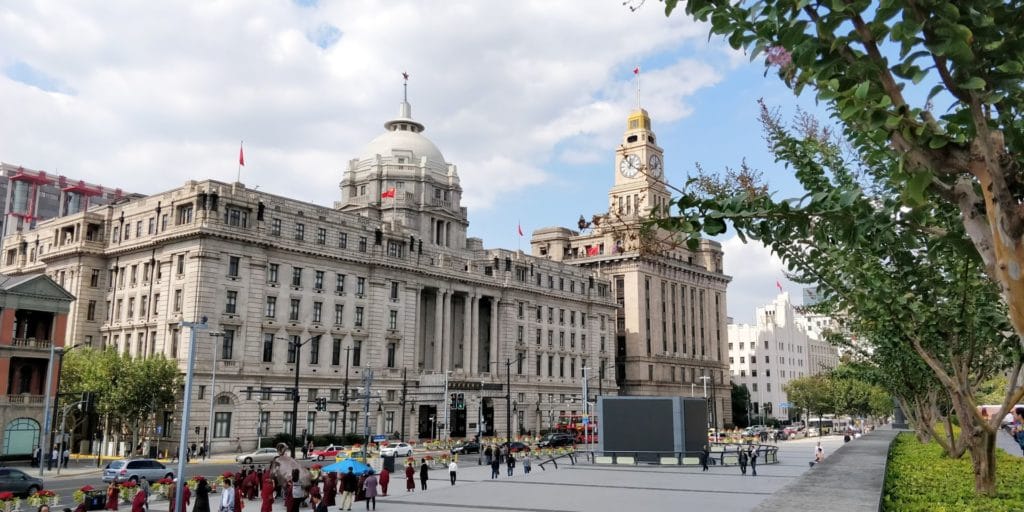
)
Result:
{"points": [[529, 100]]}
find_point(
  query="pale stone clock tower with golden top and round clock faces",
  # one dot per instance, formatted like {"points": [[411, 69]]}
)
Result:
{"points": [[639, 184]]}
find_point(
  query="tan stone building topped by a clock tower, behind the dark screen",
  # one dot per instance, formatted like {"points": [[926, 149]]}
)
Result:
{"points": [[670, 337]]}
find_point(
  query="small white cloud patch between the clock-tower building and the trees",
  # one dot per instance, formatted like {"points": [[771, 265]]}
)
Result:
{"points": [[755, 273]]}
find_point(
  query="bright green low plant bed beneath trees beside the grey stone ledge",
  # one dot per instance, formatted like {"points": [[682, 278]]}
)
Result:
{"points": [[921, 479]]}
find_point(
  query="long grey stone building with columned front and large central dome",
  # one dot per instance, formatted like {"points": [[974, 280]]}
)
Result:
{"points": [[385, 308]]}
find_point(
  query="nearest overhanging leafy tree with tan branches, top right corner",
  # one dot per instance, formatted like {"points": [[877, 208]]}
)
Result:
{"points": [[870, 62]]}
